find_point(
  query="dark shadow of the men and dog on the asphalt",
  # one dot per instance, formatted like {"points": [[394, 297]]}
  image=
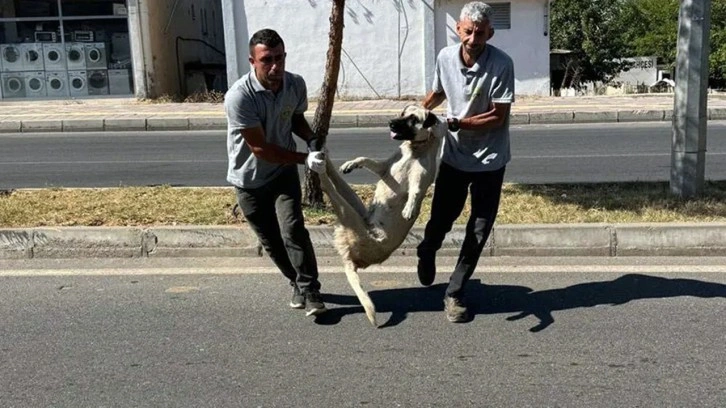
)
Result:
{"points": [[496, 299]]}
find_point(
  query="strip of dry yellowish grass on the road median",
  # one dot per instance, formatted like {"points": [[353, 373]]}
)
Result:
{"points": [[521, 204]]}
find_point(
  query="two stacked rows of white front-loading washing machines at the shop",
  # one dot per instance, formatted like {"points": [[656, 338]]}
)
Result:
{"points": [[53, 69]]}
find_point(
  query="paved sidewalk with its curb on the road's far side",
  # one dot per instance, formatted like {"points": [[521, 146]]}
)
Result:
{"points": [[128, 114]]}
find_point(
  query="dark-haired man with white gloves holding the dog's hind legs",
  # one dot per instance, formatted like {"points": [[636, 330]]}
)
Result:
{"points": [[264, 108]]}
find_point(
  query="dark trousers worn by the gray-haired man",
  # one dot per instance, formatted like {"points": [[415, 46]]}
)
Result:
{"points": [[450, 194]]}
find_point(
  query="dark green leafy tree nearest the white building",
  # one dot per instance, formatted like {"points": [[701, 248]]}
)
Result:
{"points": [[590, 29]]}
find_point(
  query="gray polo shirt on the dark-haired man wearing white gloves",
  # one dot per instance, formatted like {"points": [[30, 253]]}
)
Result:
{"points": [[247, 105]]}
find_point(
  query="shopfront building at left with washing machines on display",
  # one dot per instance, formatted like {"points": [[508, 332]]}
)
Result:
{"points": [[99, 48]]}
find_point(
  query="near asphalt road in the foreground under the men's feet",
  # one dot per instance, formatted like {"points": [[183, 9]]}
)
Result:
{"points": [[195, 338]]}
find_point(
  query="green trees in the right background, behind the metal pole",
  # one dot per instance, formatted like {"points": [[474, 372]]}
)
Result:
{"points": [[599, 33]]}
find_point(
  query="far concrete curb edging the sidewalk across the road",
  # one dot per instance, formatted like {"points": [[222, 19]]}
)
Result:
{"points": [[157, 123]]}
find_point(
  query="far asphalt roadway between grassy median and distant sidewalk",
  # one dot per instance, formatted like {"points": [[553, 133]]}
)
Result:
{"points": [[541, 154]]}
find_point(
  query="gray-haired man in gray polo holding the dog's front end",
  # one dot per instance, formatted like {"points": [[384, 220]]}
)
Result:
{"points": [[477, 81]]}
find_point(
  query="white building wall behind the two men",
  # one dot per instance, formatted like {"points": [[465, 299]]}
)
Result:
{"points": [[387, 49]]}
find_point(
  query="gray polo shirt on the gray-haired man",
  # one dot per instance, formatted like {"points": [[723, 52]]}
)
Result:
{"points": [[469, 91]]}
